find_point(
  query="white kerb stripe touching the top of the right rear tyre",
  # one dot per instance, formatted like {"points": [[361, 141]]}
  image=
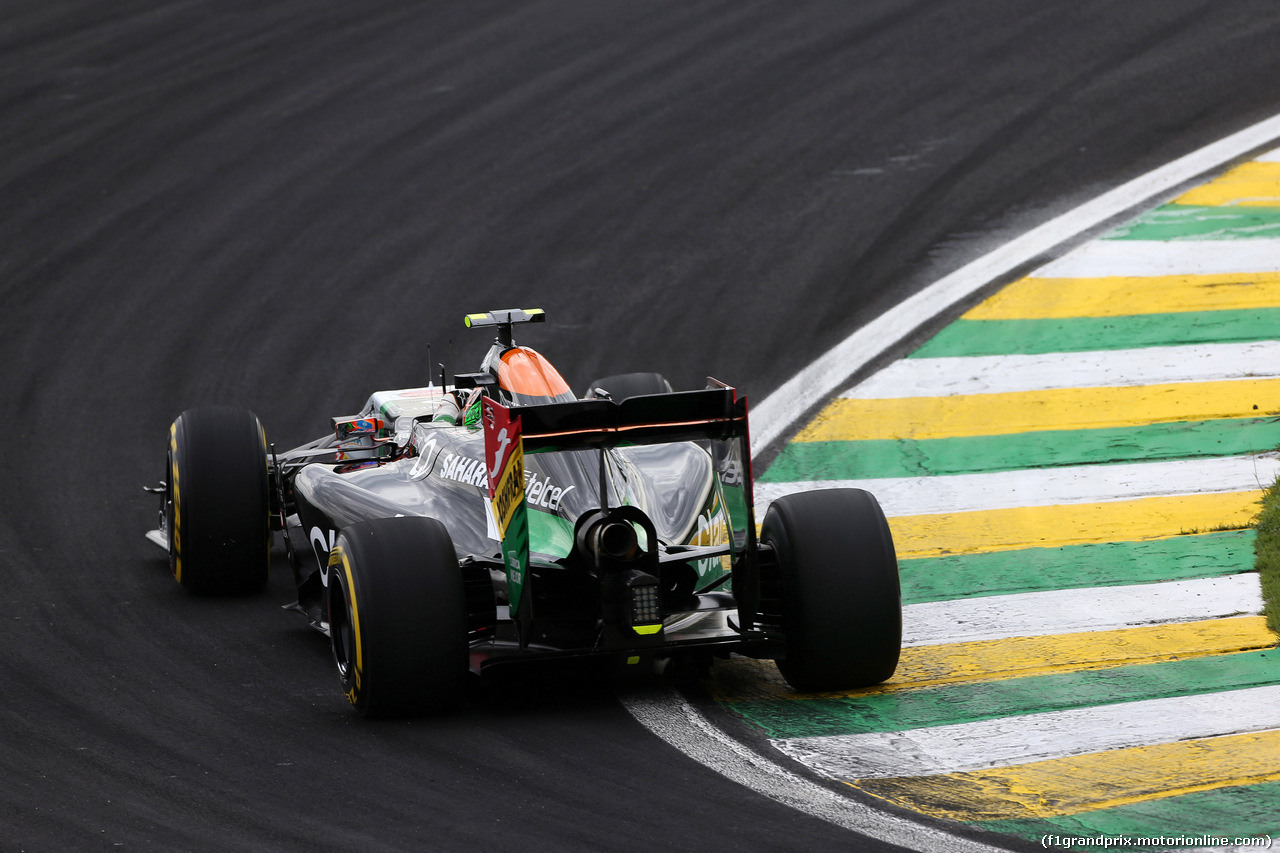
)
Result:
{"points": [[1048, 486]]}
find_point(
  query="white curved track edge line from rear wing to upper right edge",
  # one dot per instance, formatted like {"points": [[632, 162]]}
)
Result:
{"points": [[775, 416]]}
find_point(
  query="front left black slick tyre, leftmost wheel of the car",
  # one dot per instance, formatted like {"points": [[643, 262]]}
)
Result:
{"points": [[218, 508]]}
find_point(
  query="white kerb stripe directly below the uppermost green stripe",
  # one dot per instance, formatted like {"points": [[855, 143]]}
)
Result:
{"points": [[1105, 258]]}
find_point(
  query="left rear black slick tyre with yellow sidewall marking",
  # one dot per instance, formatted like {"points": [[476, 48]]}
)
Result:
{"points": [[397, 617]]}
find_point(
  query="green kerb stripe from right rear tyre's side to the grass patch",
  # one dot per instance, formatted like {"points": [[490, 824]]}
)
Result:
{"points": [[1110, 564]]}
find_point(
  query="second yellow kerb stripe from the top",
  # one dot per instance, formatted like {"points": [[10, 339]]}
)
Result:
{"points": [[1117, 297]]}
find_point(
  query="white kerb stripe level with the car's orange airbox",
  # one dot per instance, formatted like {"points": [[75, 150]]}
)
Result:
{"points": [[961, 376]]}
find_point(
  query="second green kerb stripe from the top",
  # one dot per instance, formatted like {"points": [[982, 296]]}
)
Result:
{"points": [[1089, 334]]}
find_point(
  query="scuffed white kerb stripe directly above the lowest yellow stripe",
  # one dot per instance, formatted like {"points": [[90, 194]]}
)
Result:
{"points": [[1037, 737]]}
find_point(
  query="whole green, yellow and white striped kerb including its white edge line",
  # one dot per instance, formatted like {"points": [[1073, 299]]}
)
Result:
{"points": [[1069, 471]]}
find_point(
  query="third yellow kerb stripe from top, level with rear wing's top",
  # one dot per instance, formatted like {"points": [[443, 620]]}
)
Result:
{"points": [[1027, 412]]}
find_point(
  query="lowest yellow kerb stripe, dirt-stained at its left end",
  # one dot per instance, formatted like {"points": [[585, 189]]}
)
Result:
{"points": [[1087, 783]]}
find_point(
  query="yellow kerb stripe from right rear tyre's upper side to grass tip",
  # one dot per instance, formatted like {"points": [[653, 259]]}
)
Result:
{"points": [[1054, 527]]}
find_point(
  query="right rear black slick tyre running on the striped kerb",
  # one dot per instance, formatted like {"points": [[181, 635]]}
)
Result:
{"points": [[842, 603]]}
